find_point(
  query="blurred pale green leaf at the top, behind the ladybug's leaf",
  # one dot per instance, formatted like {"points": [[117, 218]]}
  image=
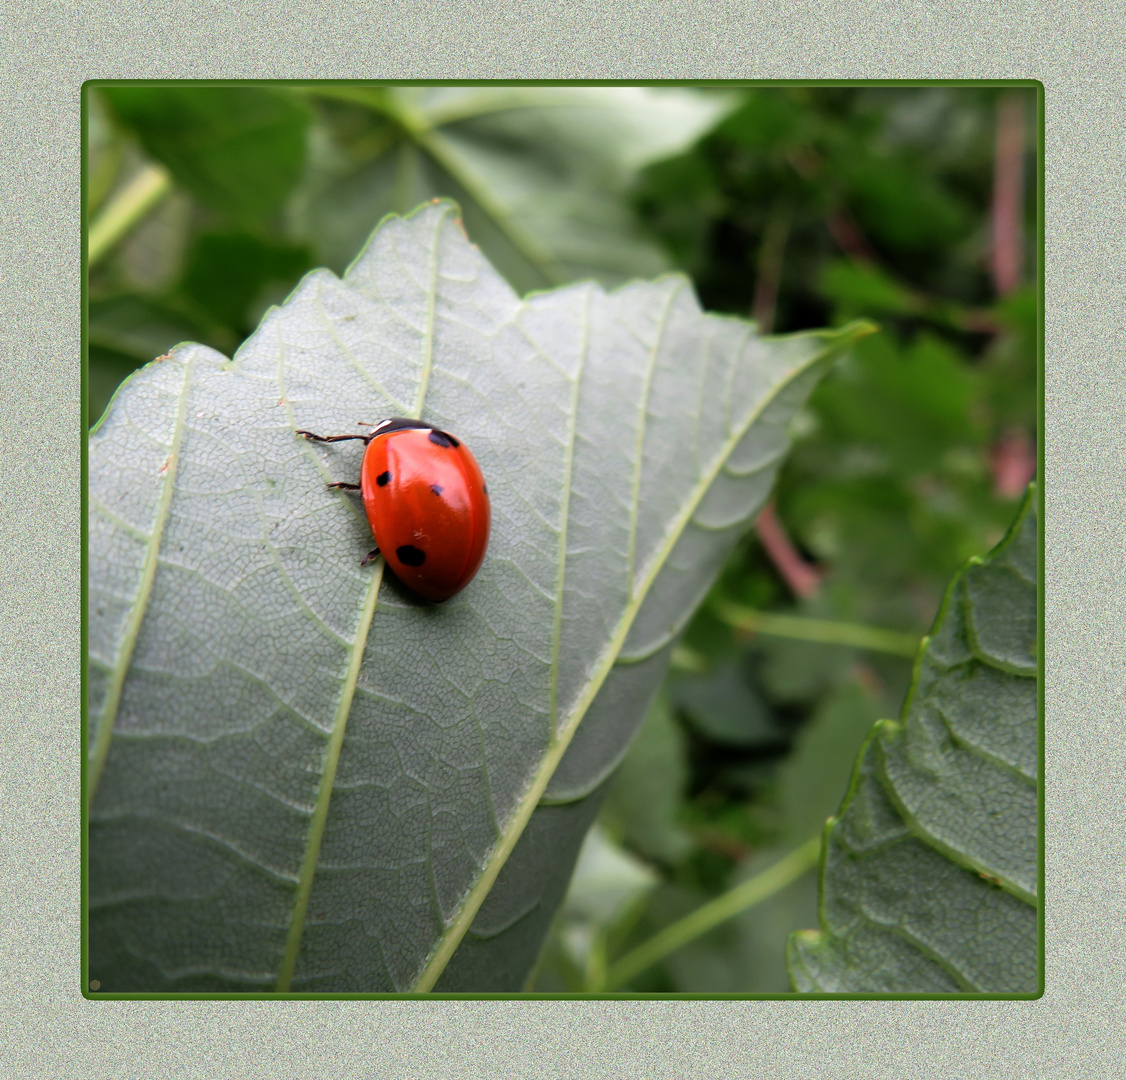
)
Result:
{"points": [[541, 173]]}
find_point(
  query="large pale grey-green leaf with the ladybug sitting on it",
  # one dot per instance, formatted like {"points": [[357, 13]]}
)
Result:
{"points": [[300, 776]]}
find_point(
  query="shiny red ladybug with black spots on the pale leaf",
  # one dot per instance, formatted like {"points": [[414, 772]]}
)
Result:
{"points": [[427, 504]]}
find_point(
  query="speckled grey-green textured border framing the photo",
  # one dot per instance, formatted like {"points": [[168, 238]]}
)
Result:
{"points": [[1073, 1031]]}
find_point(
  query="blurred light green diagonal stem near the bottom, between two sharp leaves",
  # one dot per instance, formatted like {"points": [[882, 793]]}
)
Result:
{"points": [[711, 915]]}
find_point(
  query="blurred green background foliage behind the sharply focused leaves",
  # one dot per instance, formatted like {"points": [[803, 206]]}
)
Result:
{"points": [[802, 207]]}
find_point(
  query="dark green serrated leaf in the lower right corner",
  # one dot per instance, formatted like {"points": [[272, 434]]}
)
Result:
{"points": [[930, 874]]}
